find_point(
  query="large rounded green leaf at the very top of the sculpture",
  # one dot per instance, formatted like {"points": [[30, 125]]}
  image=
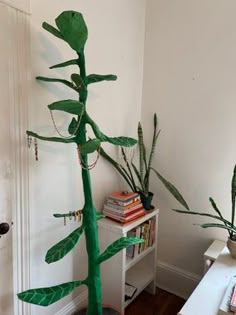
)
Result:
{"points": [[72, 26]]}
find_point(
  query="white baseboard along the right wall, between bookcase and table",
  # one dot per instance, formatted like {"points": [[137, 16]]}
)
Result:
{"points": [[176, 280]]}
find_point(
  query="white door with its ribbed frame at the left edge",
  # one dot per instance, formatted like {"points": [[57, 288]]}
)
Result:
{"points": [[14, 43]]}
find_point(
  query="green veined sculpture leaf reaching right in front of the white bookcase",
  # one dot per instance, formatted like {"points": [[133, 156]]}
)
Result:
{"points": [[118, 245]]}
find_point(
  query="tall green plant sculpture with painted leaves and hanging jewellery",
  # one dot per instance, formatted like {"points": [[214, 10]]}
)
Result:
{"points": [[72, 29]]}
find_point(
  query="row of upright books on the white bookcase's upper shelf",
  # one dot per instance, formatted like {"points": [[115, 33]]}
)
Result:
{"points": [[146, 231]]}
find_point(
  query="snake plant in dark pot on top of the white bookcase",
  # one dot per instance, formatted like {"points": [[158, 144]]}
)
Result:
{"points": [[138, 178]]}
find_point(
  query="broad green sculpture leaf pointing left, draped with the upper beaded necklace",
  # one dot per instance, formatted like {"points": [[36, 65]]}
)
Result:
{"points": [[69, 106]]}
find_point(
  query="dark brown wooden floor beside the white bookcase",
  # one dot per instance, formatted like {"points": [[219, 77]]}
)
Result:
{"points": [[163, 303]]}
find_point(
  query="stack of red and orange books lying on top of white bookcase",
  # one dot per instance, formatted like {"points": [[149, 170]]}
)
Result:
{"points": [[123, 206]]}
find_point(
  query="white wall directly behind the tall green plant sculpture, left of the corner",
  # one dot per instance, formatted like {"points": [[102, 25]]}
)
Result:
{"points": [[115, 45]]}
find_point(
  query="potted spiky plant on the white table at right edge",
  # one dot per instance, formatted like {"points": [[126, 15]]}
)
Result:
{"points": [[223, 223]]}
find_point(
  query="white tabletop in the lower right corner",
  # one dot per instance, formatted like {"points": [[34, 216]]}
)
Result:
{"points": [[206, 298]]}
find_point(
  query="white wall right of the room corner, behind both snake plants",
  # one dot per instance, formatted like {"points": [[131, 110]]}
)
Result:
{"points": [[190, 81]]}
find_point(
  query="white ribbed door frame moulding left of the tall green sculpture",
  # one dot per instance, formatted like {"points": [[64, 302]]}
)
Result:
{"points": [[19, 64]]}
